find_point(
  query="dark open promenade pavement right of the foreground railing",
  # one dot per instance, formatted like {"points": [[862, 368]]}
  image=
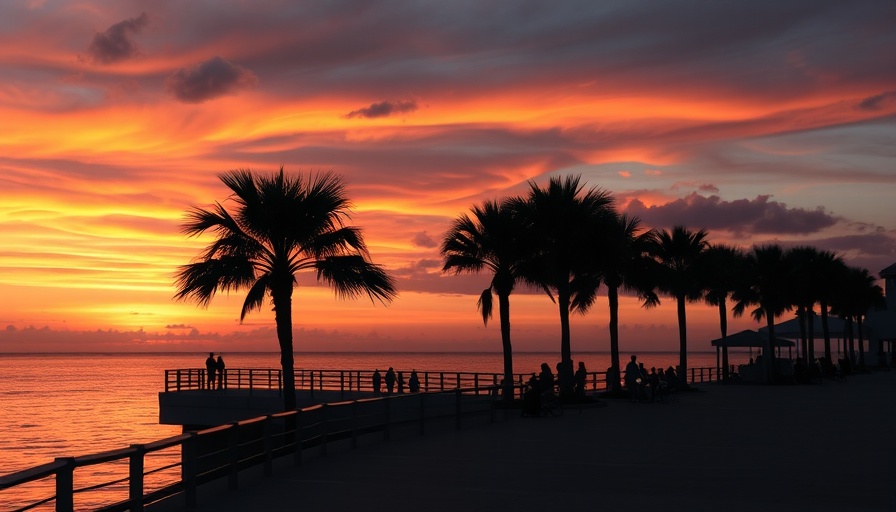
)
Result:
{"points": [[827, 447]]}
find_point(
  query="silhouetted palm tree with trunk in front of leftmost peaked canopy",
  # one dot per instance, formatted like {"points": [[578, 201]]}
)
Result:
{"points": [[768, 287]]}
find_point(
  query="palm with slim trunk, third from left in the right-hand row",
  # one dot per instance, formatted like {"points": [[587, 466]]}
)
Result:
{"points": [[625, 263]]}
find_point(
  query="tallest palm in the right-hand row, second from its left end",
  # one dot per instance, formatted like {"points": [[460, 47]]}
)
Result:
{"points": [[563, 219]]}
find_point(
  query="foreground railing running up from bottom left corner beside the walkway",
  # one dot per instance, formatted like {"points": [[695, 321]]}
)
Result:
{"points": [[223, 451]]}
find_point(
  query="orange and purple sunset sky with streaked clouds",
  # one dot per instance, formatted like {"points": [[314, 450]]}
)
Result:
{"points": [[761, 121]]}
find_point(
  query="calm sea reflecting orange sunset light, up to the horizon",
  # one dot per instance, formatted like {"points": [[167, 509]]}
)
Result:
{"points": [[61, 405]]}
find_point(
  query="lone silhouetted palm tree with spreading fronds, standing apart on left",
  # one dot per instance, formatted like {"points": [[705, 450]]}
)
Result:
{"points": [[280, 226]]}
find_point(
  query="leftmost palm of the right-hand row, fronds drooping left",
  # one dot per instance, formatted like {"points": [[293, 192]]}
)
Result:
{"points": [[492, 239]]}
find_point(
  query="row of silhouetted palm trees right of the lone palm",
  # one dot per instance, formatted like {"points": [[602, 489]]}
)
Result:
{"points": [[569, 240]]}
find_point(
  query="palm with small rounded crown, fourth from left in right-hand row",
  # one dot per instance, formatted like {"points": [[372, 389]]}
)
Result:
{"points": [[679, 256]]}
